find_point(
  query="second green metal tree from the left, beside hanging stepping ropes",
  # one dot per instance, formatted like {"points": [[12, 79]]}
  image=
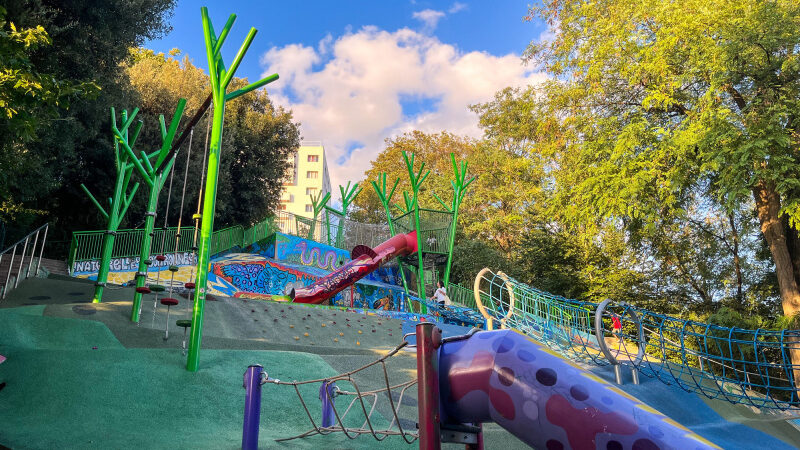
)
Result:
{"points": [[154, 178]]}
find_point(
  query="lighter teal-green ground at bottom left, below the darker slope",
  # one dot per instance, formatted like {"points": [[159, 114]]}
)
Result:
{"points": [[122, 398]]}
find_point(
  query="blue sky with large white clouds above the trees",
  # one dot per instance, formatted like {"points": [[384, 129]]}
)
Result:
{"points": [[357, 72]]}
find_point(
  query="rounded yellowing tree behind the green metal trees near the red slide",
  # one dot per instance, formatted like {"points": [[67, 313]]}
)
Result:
{"points": [[493, 207]]}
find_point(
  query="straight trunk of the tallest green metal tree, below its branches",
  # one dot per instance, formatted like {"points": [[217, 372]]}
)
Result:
{"points": [[206, 229]]}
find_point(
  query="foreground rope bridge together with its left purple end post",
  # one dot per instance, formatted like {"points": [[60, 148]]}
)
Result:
{"points": [[334, 419]]}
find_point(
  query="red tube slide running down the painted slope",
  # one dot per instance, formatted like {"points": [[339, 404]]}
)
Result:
{"points": [[363, 261]]}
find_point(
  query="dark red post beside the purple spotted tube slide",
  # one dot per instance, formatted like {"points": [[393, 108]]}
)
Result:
{"points": [[429, 338]]}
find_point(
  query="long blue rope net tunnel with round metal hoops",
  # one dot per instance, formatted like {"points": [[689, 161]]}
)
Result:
{"points": [[752, 367]]}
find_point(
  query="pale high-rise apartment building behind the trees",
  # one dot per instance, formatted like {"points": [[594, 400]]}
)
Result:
{"points": [[308, 175]]}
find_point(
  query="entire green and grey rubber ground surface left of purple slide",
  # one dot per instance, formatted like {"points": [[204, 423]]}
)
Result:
{"points": [[133, 391]]}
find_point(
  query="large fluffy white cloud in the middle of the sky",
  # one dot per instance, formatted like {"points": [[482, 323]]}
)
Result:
{"points": [[352, 98]]}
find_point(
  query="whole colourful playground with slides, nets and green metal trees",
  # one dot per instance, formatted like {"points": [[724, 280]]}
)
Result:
{"points": [[322, 331]]}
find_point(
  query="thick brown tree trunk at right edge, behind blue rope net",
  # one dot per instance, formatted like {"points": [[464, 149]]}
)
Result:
{"points": [[768, 207]]}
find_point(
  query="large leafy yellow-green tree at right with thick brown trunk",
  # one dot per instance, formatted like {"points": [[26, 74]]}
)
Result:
{"points": [[652, 103]]}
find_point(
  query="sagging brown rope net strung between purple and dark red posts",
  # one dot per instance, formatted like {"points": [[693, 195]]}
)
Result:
{"points": [[361, 415]]}
